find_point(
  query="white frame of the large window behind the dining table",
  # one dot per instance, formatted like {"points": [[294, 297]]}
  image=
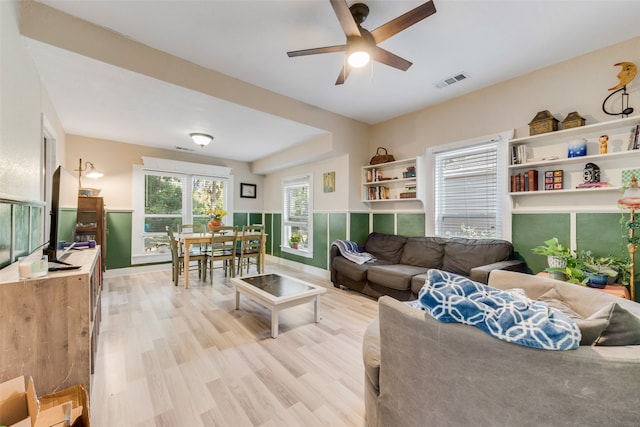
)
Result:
{"points": [[185, 170]]}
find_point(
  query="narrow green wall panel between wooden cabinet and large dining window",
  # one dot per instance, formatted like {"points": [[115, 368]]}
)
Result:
{"points": [[119, 239]]}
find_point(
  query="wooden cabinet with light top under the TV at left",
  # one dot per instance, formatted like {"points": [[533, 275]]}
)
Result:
{"points": [[49, 326]]}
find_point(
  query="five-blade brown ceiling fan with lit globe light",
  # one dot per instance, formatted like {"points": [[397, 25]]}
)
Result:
{"points": [[362, 44]]}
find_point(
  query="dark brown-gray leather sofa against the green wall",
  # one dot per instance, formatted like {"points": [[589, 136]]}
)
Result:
{"points": [[402, 263]]}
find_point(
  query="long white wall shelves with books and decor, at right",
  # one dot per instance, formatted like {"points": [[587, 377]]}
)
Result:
{"points": [[540, 165]]}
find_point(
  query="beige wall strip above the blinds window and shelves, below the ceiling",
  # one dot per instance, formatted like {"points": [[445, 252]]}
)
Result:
{"points": [[579, 84]]}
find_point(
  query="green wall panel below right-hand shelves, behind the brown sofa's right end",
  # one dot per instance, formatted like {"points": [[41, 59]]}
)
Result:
{"points": [[530, 230]]}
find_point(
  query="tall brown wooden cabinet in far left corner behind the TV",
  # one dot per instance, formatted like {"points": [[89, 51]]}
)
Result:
{"points": [[92, 223]]}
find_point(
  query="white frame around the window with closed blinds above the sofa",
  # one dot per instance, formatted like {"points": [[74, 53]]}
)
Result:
{"points": [[502, 208]]}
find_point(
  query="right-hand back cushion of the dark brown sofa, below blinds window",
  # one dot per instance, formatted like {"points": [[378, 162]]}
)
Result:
{"points": [[461, 255]]}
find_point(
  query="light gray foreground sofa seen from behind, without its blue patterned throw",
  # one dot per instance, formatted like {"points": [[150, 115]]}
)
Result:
{"points": [[421, 372]]}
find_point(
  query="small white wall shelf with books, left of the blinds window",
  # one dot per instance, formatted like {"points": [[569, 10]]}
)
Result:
{"points": [[395, 181]]}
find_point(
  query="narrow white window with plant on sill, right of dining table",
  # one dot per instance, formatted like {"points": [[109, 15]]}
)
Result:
{"points": [[297, 223]]}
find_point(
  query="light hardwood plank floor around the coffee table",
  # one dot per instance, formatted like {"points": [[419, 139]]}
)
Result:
{"points": [[170, 356]]}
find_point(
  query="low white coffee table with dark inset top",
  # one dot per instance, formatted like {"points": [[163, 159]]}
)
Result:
{"points": [[277, 292]]}
